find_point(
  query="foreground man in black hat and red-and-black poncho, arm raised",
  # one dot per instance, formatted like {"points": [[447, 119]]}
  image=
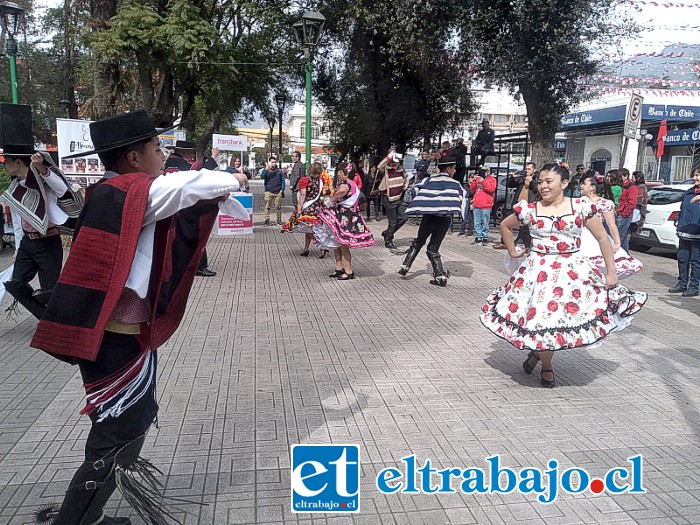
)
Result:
{"points": [[121, 295]]}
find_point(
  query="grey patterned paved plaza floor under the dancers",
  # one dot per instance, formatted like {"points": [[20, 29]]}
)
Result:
{"points": [[272, 353]]}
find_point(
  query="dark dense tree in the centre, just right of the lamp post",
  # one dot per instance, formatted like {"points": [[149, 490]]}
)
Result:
{"points": [[393, 75]]}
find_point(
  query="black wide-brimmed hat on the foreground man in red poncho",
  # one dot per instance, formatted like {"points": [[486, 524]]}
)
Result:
{"points": [[120, 131]]}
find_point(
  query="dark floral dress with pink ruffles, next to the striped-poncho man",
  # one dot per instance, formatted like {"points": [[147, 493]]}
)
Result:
{"points": [[343, 225]]}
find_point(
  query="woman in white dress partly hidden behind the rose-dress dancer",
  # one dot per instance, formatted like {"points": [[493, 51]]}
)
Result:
{"points": [[592, 187]]}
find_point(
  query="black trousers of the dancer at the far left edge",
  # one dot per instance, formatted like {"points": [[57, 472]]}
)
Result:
{"points": [[42, 256]]}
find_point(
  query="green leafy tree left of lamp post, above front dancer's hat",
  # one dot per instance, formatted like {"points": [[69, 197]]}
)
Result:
{"points": [[204, 60]]}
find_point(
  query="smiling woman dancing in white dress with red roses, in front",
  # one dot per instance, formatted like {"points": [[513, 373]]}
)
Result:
{"points": [[557, 298]]}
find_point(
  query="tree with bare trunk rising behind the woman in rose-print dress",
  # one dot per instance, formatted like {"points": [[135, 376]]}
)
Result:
{"points": [[540, 50]]}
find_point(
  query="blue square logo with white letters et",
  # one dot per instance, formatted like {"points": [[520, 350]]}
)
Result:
{"points": [[325, 478]]}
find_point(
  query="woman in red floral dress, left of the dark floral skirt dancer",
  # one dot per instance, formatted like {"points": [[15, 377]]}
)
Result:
{"points": [[309, 206]]}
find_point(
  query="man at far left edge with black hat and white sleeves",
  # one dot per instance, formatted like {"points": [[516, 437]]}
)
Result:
{"points": [[40, 199]]}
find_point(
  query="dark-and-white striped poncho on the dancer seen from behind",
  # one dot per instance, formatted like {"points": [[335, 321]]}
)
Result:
{"points": [[438, 195]]}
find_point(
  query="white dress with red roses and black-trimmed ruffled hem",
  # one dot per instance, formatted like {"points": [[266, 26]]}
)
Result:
{"points": [[557, 299]]}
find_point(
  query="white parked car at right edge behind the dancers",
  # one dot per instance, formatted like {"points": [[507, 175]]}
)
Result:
{"points": [[663, 209]]}
